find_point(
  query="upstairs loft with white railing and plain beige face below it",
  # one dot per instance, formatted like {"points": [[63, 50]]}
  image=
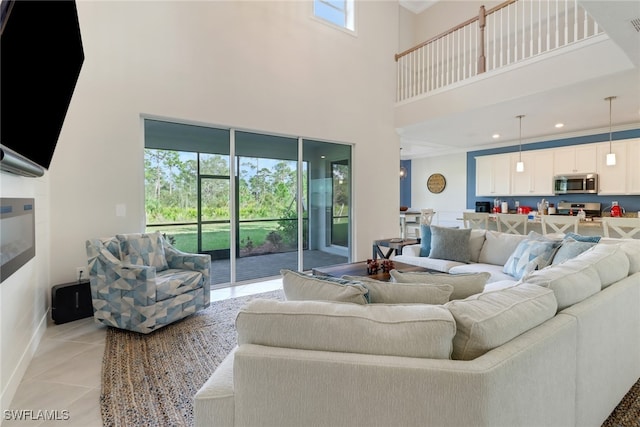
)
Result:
{"points": [[541, 58]]}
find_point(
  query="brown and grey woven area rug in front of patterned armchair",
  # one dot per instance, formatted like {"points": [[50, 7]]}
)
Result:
{"points": [[150, 380]]}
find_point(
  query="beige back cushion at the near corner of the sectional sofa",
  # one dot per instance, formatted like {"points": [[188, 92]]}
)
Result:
{"points": [[488, 320]]}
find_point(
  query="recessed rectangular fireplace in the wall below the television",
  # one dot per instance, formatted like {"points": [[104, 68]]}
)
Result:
{"points": [[17, 234]]}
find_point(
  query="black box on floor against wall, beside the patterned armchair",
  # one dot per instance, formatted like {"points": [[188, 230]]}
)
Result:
{"points": [[71, 301]]}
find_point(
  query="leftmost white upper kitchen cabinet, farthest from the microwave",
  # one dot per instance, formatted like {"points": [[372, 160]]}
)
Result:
{"points": [[493, 175]]}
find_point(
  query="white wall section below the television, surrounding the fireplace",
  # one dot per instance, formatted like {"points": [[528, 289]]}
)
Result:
{"points": [[24, 296]]}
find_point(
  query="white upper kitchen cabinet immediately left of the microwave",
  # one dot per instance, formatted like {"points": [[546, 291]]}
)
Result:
{"points": [[537, 178]]}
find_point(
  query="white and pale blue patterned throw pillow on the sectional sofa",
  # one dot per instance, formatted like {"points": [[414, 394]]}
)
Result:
{"points": [[532, 254]]}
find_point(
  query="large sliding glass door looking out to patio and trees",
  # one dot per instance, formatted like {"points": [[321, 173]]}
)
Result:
{"points": [[277, 203]]}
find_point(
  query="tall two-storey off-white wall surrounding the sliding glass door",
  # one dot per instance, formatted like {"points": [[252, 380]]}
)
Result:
{"points": [[264, 66]]}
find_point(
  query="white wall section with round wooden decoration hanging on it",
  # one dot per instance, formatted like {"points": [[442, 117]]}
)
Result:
{"points": [[449, 204]]}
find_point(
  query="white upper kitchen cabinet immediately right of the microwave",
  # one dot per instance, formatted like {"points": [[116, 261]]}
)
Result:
{"points": [[613, 179]]}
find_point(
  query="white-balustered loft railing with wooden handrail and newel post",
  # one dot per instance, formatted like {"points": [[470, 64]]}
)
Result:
{"points": [[506, 34]]}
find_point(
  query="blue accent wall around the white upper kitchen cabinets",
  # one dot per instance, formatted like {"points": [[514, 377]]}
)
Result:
{"points": [[629, 203]]}
